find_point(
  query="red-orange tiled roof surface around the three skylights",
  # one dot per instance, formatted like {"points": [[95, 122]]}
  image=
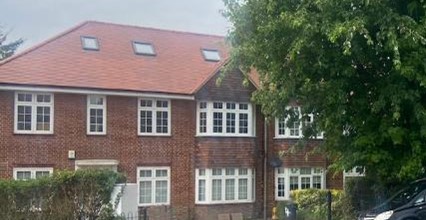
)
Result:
{"points": [[177, 68]]}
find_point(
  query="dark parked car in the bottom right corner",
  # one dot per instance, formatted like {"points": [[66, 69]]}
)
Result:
{"points": [[407, 204]]}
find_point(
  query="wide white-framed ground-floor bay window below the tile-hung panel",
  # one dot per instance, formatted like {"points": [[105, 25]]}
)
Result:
{"points": [[224, 185]]}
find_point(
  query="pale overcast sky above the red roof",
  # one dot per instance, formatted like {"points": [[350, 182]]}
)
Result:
{"points": [[38, 20]]}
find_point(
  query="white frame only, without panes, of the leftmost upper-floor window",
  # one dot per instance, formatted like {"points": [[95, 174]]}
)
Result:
{"points": [[34, 104]]}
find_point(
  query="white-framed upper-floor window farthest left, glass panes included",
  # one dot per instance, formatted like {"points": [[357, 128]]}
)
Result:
{"points": [[33, 113]]}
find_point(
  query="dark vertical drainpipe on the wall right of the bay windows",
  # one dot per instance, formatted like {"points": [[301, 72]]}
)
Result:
{"points": [[265, 168]]}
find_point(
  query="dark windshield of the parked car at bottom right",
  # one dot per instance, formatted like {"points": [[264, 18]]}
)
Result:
{"points": [[406, 195]]}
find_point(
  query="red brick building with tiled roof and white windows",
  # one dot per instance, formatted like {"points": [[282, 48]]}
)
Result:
{"points": [[145, 102]]}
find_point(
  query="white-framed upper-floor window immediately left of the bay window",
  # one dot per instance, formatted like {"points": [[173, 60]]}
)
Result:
{"points": [[153, 117]]}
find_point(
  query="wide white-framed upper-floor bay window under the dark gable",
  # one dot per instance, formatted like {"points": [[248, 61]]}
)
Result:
{"points": [[225, 119]]}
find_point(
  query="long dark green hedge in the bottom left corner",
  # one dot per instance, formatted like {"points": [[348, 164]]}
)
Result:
{"points": [[84, 194]]}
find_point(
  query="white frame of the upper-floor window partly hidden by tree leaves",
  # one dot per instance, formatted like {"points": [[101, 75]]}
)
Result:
{"points": [[287, 134]]}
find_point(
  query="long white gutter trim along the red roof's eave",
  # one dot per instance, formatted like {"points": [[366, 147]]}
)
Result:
{"points": [[96, 92]]}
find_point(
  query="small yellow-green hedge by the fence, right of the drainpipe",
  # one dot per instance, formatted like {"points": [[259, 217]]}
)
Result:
{"points": [[312, 205]]}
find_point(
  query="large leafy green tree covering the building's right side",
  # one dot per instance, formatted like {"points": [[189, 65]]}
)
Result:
{"points": [[358, 66]]}
